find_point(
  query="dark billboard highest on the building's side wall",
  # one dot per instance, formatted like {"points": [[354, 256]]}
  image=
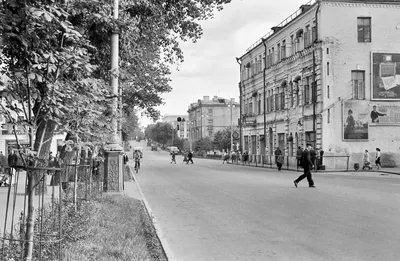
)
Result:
{"points": [[385, 76]]}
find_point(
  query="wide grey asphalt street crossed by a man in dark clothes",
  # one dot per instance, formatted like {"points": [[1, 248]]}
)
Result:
{"points": [[213, 211]]}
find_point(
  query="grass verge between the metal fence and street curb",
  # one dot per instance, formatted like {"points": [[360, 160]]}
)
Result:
{"points": [[120, 229]]}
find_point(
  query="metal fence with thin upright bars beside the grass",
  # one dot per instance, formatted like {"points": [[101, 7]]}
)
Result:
{"points": [[37, 232]]}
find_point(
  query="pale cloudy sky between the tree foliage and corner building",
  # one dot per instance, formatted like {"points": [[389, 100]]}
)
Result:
{"points": [[210, 67]]}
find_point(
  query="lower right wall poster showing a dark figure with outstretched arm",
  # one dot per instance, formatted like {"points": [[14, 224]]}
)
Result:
{"points": [[384, 114]]}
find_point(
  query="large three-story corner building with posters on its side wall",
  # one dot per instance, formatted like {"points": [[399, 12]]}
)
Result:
{"points": [[318, 76]]}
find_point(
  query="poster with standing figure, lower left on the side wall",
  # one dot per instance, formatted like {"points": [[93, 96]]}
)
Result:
{"points": [[355, 120]]}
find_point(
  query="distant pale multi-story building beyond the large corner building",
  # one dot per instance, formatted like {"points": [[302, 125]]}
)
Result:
{"points": [[207, 116]]}
